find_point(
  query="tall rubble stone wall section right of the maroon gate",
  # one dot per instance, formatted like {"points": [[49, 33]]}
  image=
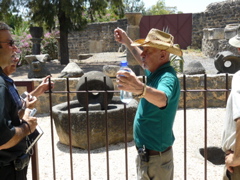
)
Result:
{"points": [[217, 15]]}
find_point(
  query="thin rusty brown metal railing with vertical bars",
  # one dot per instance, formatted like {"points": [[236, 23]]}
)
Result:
{"points": [[184, 92]]}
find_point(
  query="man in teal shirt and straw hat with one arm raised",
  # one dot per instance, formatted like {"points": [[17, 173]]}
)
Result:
{"points": [[153, 123]]}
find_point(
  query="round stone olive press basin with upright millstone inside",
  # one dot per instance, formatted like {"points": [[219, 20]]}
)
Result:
{"points": [[97, 108]]}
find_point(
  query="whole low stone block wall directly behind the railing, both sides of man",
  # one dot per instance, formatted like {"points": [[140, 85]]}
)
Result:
{"points": [[194, 99]]}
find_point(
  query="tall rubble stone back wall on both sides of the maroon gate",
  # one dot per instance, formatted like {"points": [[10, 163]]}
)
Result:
{"points": [[98, 37]]}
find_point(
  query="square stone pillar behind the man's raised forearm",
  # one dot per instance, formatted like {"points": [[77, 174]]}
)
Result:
{"points": [[133, 20]]}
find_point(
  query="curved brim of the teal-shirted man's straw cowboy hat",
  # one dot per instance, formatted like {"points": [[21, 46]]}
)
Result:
{"points": [[159, 45]]}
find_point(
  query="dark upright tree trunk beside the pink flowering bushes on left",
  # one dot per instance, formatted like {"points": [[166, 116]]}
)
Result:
{"points": [[64, 53]]}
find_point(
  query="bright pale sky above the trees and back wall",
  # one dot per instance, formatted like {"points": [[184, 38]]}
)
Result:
{"points": [[186, 6]]}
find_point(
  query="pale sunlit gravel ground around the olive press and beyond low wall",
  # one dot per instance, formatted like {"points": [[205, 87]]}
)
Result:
{"points": [[195, 136]]}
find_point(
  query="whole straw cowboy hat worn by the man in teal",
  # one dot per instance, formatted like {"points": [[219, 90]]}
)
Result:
{"points": [[159, 39]]}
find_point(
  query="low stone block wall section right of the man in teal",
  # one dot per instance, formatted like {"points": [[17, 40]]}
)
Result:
{"points": [[196, 83]]}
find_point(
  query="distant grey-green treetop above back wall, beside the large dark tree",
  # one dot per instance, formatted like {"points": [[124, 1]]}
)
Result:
{"points": [[134, 6]]}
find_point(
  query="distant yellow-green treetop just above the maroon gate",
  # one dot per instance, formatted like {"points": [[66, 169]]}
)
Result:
{"points": [[160, 8]]}
